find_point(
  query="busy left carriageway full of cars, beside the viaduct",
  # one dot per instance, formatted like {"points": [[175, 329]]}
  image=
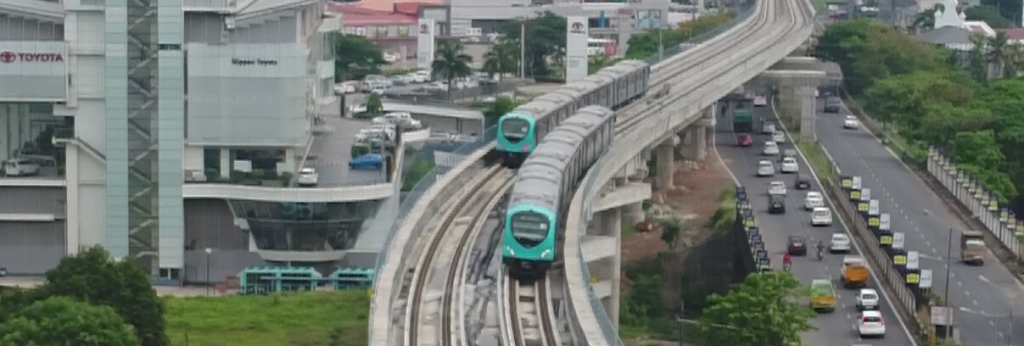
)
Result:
{"points": [[838, 328]]}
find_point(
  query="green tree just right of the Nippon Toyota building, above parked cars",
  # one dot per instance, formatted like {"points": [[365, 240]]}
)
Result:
{"points": [[355, 57]]}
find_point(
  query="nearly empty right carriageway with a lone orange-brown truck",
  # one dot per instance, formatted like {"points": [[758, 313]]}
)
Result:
{"points": [[989, 293]]}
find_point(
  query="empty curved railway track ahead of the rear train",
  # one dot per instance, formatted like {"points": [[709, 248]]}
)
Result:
{"points": [[451, 240]]}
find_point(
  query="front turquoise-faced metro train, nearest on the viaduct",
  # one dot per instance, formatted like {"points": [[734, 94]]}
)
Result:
{"points": [[544, 189]]}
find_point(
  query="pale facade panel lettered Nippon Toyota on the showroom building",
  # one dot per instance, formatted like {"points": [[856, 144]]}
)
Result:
{"points": [[247, 95]]}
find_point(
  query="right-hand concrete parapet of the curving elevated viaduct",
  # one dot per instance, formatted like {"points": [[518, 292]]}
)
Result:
{"points": [[680, 113]]}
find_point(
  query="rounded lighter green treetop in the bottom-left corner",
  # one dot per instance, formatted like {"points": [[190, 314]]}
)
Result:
{"points": [[61, 321]]}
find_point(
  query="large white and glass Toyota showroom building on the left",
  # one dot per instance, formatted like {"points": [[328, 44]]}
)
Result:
{"points": [[135, 94]]}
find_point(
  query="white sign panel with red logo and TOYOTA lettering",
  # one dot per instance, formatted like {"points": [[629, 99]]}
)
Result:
{"points": [[34, 71]]}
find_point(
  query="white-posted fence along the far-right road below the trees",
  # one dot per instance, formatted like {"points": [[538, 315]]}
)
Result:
{"points": [[1002, 223]]}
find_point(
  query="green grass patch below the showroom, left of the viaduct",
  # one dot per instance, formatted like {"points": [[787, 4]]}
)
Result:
{"points": [[295, 320]]}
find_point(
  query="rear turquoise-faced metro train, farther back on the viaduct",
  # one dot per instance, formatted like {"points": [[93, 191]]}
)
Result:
{"points": [[613, 88]]}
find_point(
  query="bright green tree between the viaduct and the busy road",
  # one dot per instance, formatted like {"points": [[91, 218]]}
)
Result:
{"points": [[764, 311]]}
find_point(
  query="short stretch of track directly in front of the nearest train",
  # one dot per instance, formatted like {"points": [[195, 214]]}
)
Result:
{"points": [[530, 316]]}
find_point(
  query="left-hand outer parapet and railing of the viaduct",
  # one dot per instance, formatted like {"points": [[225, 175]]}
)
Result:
{"points": [[412, 199]]}
